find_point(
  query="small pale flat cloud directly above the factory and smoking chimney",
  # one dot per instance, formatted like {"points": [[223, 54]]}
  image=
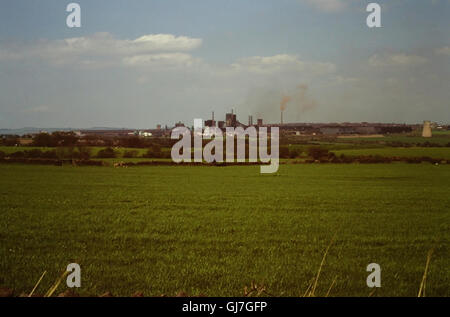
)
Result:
{"points": [[282, 63]]}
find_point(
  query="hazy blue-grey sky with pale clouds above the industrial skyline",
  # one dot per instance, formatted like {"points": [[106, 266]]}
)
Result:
{"points": [[139, 63]]}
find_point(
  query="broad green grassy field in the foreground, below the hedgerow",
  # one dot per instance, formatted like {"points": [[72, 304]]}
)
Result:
{"points": [[214, 230]]}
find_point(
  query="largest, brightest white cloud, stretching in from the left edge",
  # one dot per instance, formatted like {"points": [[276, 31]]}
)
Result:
{"points": [[103, 49]]}
